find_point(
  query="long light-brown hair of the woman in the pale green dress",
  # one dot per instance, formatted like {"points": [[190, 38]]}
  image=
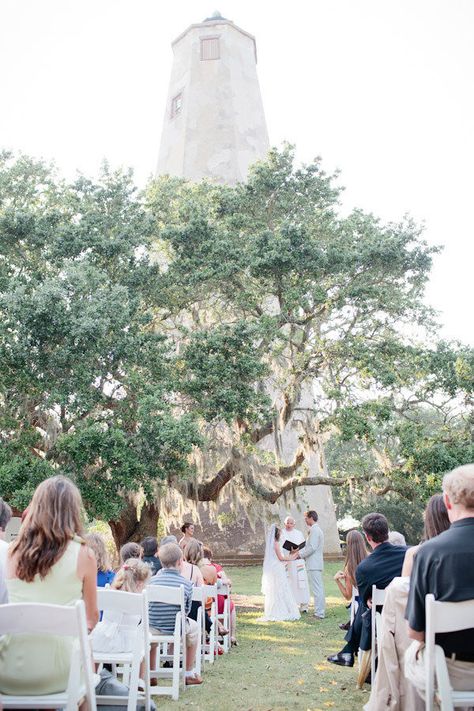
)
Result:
{"points": [[52, 521]]}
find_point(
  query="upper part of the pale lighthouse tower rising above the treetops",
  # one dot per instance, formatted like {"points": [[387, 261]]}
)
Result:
{"points": [[214, 125]]}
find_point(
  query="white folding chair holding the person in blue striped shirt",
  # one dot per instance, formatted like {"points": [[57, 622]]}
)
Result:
{"points": [[170, 596]]}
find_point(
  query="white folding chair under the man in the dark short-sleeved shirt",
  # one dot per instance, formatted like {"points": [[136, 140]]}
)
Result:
{"points": [[444, 617]]}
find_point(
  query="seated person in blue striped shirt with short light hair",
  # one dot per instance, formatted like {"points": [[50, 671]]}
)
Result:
{"points": [[163, 615]]}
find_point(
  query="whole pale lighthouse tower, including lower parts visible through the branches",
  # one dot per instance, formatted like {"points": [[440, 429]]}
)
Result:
{"points": [[214, 127]]}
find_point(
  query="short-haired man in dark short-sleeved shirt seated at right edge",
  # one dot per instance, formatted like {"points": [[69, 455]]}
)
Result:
{"points": [[444, 566]]}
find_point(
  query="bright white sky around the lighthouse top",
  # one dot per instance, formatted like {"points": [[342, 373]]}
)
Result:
{"points": [[383, 90]]}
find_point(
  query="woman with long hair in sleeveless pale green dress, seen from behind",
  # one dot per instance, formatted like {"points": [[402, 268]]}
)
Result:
{"points": [[48, 562]]}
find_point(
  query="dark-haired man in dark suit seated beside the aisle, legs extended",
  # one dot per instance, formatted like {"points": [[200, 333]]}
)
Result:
{"points": [[379, 568]]}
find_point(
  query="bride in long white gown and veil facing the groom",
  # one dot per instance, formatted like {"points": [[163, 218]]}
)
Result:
{"points": [[280, 603]]}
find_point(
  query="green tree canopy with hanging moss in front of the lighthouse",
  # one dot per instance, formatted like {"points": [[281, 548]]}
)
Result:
{"points": [[137, 328]]}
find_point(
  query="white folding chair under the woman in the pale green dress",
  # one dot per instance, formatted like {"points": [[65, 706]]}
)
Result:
{"points": [[59, 621]]}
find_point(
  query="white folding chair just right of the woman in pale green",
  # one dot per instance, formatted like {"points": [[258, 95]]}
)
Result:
{"points": [[127, 603]]}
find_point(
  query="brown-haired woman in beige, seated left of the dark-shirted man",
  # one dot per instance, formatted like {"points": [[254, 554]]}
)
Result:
{"points": [[391, 689]]}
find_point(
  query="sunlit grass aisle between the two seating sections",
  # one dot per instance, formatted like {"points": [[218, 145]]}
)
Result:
{"points": [[277, 665]]}
